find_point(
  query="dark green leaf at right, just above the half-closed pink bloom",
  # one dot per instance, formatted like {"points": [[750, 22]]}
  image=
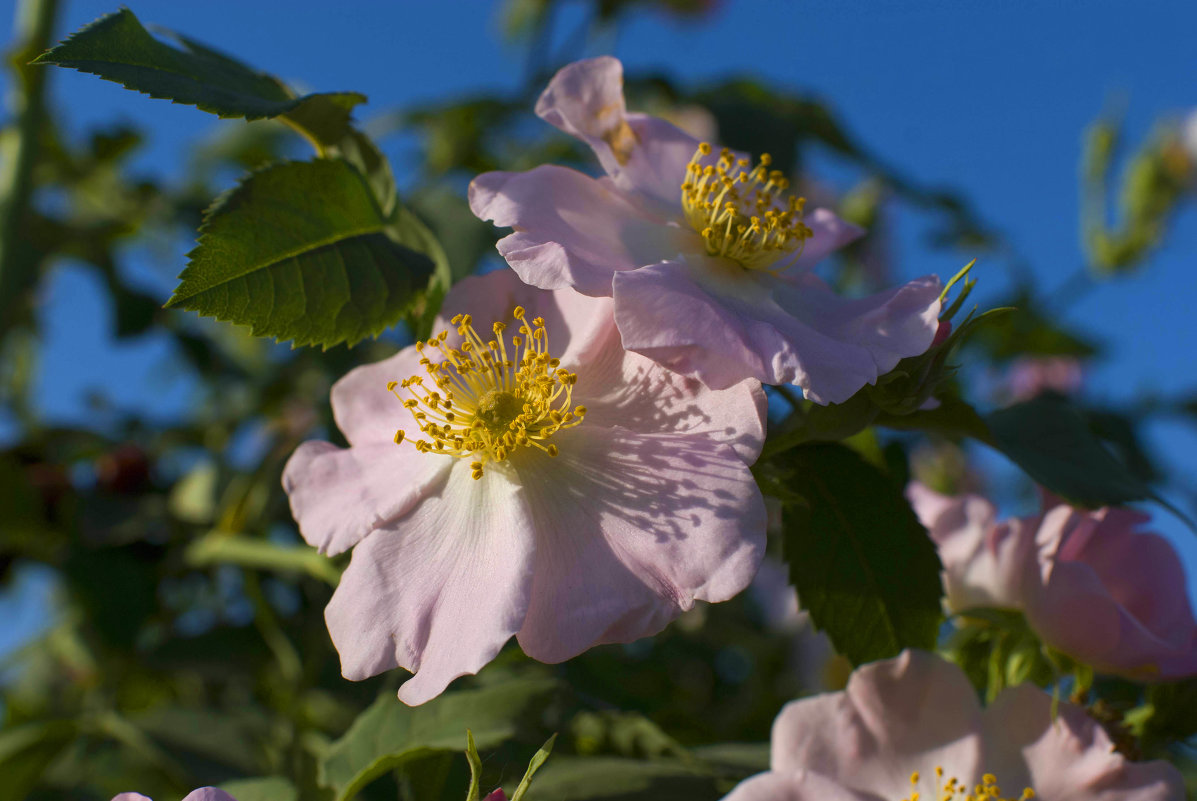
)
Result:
{"points": [[1052, 440]]}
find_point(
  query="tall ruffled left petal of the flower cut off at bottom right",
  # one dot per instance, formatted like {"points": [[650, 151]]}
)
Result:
{"points": [[896, 718]]}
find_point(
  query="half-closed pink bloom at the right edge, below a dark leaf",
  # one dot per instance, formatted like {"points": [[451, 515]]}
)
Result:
{"points": [[1090, 582]]}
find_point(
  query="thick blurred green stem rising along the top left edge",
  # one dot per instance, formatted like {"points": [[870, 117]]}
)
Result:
{"points": [[34, 28]]}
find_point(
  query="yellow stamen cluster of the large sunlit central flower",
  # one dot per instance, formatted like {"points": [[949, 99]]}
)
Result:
{"points": [[488, 402]]}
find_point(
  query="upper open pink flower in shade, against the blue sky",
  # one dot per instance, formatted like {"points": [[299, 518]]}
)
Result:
{"points": [[707, 259]]}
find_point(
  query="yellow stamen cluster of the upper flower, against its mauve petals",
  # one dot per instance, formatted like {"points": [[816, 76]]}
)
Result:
{"points": [[743, 215]]}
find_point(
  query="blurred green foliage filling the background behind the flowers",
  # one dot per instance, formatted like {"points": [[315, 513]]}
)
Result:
{"points": [[187, 644]]}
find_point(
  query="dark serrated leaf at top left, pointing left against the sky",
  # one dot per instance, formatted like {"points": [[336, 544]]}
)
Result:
{"points": [[117, 47]]}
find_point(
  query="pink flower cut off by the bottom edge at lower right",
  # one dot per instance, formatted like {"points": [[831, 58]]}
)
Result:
{"points": [[914, 725]]}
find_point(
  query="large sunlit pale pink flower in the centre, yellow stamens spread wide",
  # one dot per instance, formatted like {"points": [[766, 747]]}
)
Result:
{"points": [[580, 495]]}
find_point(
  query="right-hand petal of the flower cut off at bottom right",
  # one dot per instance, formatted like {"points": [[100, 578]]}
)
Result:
{"points": [[1067, 756]]}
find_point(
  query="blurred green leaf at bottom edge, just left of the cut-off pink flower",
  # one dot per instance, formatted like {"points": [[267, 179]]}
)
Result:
{"points": [[581, 779]]}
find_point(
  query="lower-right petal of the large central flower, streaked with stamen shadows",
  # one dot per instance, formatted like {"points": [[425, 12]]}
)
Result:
{"points": [[631, 530]]}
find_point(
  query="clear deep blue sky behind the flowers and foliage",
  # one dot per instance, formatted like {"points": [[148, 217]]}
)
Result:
{"points": [[987, 98]]}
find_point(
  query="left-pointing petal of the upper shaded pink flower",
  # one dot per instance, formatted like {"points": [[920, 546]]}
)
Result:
{"points": [[572, 230]]}
